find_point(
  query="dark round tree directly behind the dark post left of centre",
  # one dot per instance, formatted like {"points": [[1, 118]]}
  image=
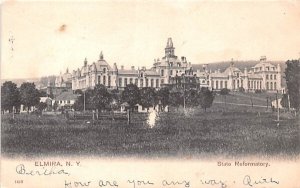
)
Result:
{"points": [[131, 95]]}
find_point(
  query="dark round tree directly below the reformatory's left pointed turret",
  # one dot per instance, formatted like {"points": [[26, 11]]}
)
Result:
{"points": [[100, 98]]}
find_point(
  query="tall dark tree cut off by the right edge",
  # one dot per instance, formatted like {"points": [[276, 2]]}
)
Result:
{"points": [[292, 77]]}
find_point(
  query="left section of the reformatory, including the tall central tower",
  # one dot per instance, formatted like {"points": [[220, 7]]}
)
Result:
{"points": [[100, 72]]}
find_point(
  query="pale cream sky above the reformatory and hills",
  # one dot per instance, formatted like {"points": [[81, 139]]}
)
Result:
{"points": [[50, 37]]}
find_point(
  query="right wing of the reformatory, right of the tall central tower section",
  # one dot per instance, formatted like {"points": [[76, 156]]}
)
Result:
{"points": [[263, 76]]}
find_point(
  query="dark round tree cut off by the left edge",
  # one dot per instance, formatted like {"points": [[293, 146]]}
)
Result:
{"points": [[10, 96]]}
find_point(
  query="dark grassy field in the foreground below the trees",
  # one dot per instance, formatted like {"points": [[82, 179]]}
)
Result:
{"points": [[227, 133]]}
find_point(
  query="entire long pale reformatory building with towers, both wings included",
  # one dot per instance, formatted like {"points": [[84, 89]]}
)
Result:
{"points": [[170, 70]]}
